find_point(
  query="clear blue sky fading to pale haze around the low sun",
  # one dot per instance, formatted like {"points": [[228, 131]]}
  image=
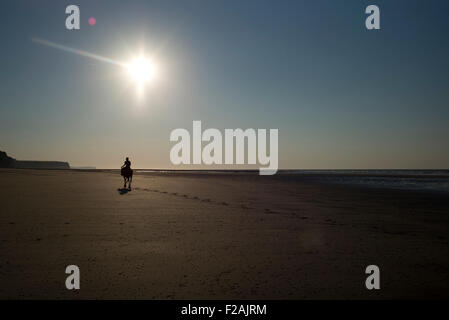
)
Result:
{"points": [[340, 95]]}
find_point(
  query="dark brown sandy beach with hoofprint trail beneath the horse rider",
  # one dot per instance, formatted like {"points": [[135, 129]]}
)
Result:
{"points": [[216, 236]]}
